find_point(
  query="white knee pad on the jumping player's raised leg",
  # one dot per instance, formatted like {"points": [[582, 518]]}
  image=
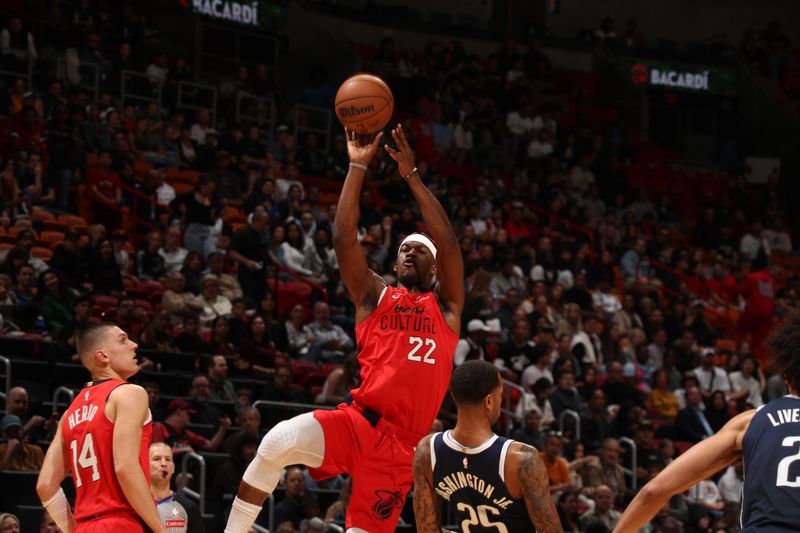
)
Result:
{"points": [[296, 441]]}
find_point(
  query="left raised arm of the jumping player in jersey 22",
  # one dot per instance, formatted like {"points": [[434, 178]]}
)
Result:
{"points": [[363, 285]]}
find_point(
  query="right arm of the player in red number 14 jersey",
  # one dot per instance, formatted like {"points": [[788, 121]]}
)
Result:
{"points": [[131, 407]]}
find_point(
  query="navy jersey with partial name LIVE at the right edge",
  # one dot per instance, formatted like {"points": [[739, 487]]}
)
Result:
{"points": [[771, 451]]}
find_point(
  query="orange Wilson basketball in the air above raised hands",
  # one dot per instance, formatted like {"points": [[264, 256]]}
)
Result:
{"points": [[364, 103]]}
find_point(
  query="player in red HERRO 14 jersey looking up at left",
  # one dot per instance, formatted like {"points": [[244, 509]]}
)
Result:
{"points": [[103, 439]]}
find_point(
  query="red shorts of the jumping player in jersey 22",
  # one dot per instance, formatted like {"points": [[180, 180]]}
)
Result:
{"points": [[377, 458]]}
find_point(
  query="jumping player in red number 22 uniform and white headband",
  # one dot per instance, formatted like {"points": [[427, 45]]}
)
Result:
{"points": [[406, 337]]}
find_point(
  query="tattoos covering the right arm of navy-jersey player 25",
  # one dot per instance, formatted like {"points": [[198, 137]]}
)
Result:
{"points": [[536, 491]]}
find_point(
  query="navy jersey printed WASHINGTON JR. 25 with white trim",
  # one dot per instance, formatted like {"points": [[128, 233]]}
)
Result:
{"points": [[472, 481]]}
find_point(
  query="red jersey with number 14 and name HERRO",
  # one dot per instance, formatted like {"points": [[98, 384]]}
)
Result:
{"points": [[88, 437]]}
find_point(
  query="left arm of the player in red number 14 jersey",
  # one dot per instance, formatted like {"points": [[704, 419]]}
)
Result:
{"points": [[48, 486]]}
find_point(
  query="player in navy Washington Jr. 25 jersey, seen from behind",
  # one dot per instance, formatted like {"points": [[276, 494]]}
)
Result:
{"points": [[489, 483]]}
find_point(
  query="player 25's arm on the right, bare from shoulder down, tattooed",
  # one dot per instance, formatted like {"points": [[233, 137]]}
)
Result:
{"points": [[527, 475]]}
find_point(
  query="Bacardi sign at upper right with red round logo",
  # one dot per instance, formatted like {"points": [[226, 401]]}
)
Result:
{"points": [[684, 77]]}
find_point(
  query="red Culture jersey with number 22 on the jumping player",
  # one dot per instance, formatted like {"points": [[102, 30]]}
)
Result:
{"points": [[405, 349]]}
